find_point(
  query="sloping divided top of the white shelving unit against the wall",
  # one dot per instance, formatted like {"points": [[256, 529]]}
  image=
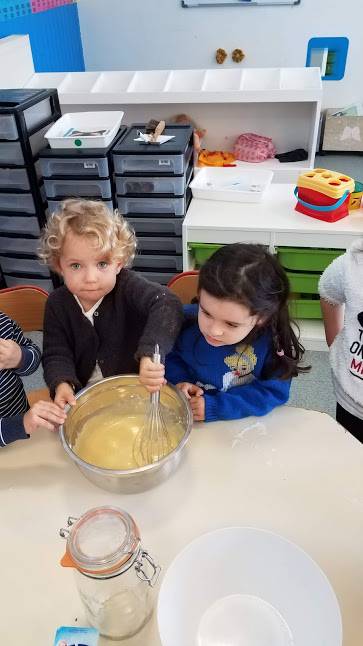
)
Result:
{"points": [[189, 86]]}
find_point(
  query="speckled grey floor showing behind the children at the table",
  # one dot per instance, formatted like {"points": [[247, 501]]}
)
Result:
{"points": [[313, 391]]}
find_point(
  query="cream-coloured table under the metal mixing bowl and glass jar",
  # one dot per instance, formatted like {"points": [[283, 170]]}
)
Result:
{"points": [[300, 476]]}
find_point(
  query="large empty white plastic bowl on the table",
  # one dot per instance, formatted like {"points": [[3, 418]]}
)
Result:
{"points": [[240, 586]]}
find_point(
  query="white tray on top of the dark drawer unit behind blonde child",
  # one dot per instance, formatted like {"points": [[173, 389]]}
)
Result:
{"points": [[84, 122]]}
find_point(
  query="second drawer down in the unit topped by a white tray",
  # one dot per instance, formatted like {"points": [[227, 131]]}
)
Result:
{"points": [[78, 188]]}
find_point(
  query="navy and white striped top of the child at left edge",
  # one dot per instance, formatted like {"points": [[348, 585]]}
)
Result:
{"points": [[13, 400]]}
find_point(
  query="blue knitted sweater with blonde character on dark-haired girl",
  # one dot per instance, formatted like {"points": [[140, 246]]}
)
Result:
{"points": [[230, 375]]}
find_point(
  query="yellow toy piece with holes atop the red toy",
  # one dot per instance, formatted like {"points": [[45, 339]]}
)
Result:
{"points": [[328, 182]]}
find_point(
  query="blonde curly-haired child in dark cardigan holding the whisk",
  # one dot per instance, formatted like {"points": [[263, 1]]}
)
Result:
{"points": [[106, 319]]}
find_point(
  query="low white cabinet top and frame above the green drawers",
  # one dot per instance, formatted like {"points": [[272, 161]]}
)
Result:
{"points": [[272, 222]]}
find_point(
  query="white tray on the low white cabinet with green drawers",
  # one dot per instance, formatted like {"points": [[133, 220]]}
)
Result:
{"points": [[231, 184]]}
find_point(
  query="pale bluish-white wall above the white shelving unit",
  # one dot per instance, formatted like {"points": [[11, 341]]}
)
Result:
{"points": [[160, 34]]}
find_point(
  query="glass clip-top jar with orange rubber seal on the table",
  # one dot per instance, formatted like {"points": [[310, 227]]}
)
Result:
{"points": [[114, 574]]}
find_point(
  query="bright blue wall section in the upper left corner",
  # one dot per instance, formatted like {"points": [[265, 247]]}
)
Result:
{"points": [[55, 38]]}
